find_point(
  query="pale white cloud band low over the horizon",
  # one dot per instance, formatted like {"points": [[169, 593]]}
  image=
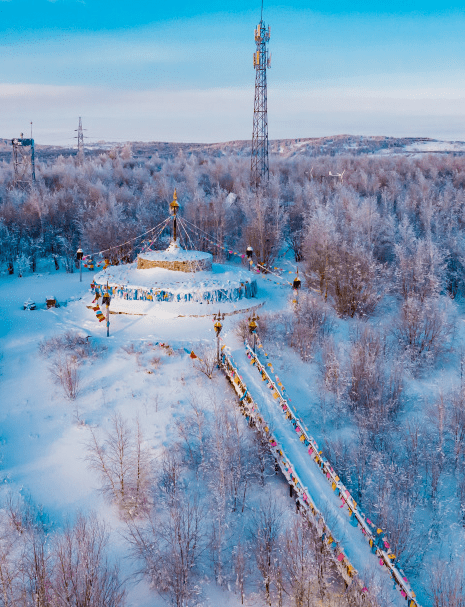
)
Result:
{"points": [[220, 114]]}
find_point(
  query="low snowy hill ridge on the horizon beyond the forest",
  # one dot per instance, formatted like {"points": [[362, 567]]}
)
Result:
{"points": [[284, 148]]}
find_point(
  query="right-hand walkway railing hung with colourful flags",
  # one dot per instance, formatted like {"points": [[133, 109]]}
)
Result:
{"points": [[375, 536]]}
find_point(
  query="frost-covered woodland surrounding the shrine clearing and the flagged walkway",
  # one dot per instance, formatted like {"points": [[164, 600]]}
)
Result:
{"points": [[377, 333]]}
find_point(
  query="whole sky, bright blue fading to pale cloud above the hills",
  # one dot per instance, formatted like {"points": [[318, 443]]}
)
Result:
{"points": [[183, 71]]}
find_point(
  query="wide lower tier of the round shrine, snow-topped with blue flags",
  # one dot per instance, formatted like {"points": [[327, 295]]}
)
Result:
{"points": [[222, 284]]}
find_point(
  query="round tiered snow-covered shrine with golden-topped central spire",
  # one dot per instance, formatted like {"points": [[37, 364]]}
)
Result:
{"points": [[175, 275]]}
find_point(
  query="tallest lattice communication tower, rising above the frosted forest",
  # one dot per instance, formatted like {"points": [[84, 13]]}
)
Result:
{"points": [[261, 62]]}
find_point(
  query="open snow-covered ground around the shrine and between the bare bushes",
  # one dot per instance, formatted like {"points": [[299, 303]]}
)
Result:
{"points": [[43, 442]]}
